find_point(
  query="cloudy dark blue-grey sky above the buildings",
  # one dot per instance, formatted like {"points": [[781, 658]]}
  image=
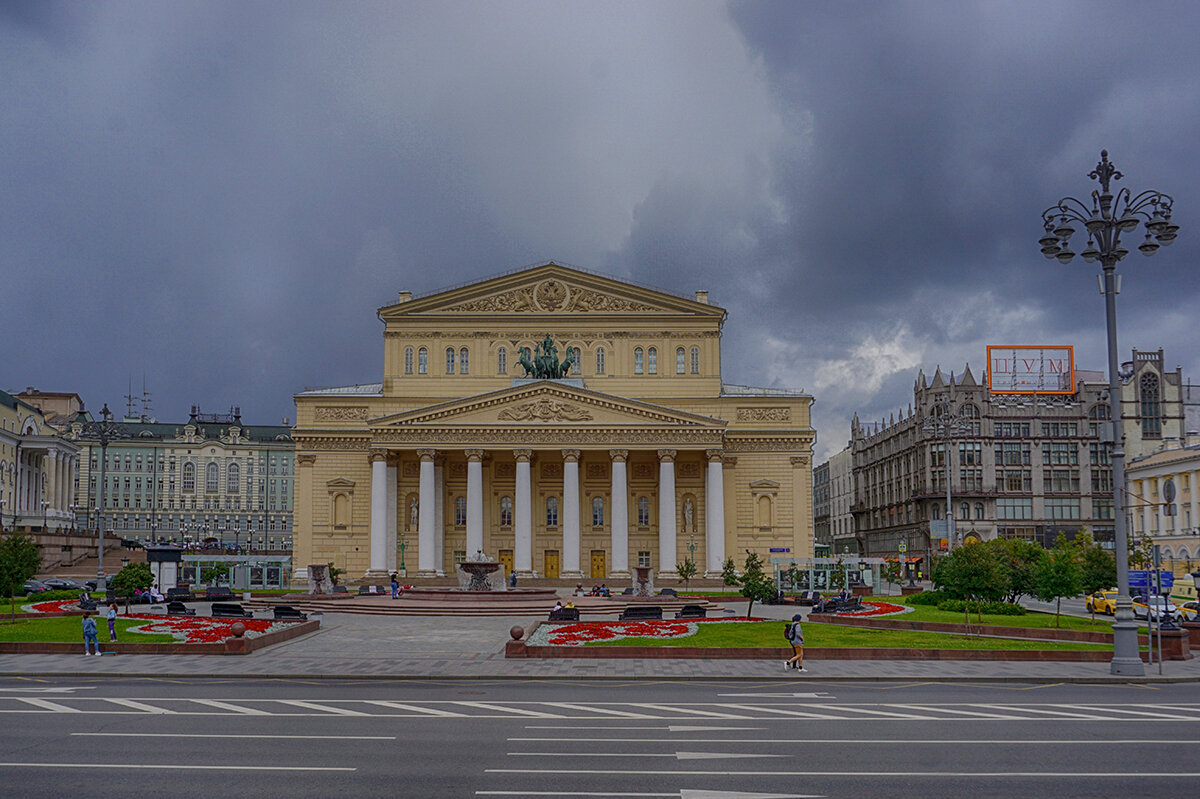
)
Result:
{"points": [[217, 197]]}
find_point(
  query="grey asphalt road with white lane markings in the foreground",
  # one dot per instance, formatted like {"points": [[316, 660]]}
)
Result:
{"points": [[130, 738]]}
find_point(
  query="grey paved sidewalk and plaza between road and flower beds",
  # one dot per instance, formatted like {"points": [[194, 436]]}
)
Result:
{"points": [[363, 647]]}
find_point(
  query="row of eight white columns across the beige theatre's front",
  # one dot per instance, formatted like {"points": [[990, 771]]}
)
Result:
{"points": [[430, 512]]}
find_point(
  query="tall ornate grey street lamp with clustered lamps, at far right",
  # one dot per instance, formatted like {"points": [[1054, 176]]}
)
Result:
{"points": [[1106, 220]]}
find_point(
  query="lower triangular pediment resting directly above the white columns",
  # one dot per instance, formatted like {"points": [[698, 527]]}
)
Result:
{"points": [[547, 404]]}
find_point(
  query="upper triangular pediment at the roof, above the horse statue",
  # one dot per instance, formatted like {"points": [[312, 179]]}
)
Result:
{"points": [[550, 290]]}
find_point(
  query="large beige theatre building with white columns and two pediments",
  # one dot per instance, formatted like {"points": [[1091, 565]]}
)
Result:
{"points": [[567, 424]]}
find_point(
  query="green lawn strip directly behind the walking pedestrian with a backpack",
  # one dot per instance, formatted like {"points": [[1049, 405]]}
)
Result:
{"points": [[771, 634]]}
